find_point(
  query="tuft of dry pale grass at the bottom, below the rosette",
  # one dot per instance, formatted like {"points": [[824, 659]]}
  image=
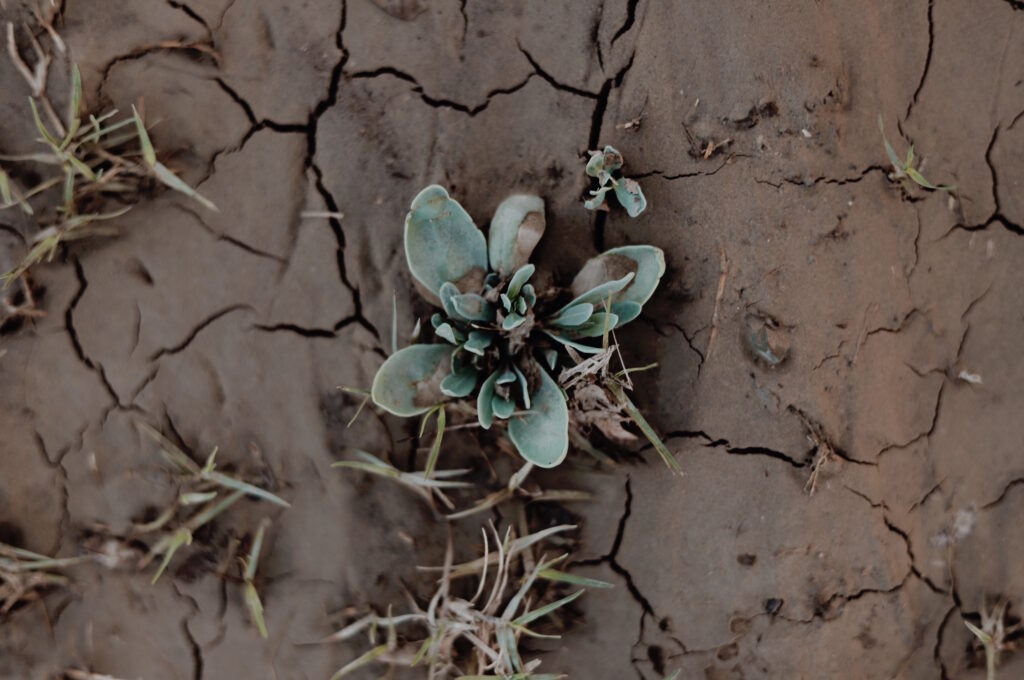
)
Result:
{"points": [[476, 637]]}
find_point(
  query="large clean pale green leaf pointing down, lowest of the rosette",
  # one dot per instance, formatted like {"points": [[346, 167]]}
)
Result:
{"points": [[541, 436]]}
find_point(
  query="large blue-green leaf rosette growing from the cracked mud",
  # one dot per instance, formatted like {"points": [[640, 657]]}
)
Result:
{"points": [[498, 337]]}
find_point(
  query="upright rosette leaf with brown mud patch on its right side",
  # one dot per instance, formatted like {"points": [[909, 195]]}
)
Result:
{"points": [[516, 230]]}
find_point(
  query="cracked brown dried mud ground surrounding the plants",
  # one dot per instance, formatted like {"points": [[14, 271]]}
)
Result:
{"points": [[235, 329]]}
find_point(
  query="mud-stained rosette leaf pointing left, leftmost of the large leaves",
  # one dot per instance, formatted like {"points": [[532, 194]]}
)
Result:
{"points": [[409, 382]]}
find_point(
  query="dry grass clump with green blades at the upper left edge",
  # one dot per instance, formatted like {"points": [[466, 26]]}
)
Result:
{"points": [[88, 161]]}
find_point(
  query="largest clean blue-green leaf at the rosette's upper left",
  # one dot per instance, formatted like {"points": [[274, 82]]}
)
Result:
{"points": [[443, 244]]}
